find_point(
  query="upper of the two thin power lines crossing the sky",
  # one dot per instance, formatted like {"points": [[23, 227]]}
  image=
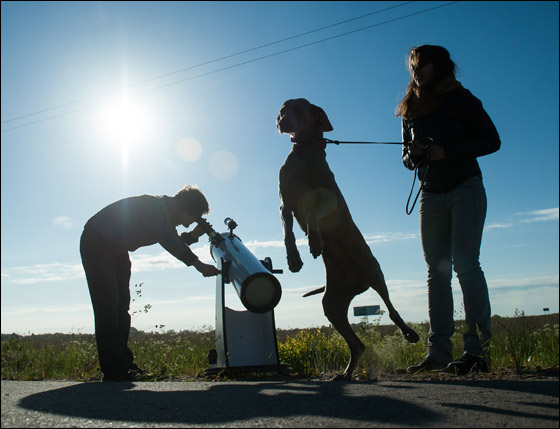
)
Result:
{"points": [[208, 62]]}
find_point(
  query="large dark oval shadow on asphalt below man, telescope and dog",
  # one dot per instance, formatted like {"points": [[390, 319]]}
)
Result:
{"points": [[224, 403]]}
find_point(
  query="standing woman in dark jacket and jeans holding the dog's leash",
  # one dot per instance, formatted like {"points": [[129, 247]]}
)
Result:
{"points": [[445, 128]]}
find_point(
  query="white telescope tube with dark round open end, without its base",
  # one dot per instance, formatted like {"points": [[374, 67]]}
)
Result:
{"points": [[257, 288]]}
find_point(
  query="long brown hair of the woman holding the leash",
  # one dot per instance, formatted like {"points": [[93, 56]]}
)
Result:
{"points": [[444, 68]]}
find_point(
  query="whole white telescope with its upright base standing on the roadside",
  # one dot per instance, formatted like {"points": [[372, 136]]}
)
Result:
{"points": [[245, 340]]}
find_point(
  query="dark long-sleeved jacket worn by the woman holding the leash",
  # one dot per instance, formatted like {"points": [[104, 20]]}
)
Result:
{"points": [[462, 126]]}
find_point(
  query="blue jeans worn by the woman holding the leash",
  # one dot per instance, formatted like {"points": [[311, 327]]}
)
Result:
{"points": [[451, 227]]}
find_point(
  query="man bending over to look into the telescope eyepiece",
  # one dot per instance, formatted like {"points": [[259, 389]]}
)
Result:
{"points": [[108, 236]]}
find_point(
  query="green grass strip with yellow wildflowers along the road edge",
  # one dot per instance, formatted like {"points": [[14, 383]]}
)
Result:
{"points": [[519, 343]]}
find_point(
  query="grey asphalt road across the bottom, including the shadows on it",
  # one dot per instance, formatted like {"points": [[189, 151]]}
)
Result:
{"points": [[293, 403]]}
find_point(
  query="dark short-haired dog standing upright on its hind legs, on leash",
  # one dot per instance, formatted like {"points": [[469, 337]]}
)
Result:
{"points": [[309, 193]]}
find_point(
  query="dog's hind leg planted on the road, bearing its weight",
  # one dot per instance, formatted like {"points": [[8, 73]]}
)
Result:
{"points": [[335, 305]]}
